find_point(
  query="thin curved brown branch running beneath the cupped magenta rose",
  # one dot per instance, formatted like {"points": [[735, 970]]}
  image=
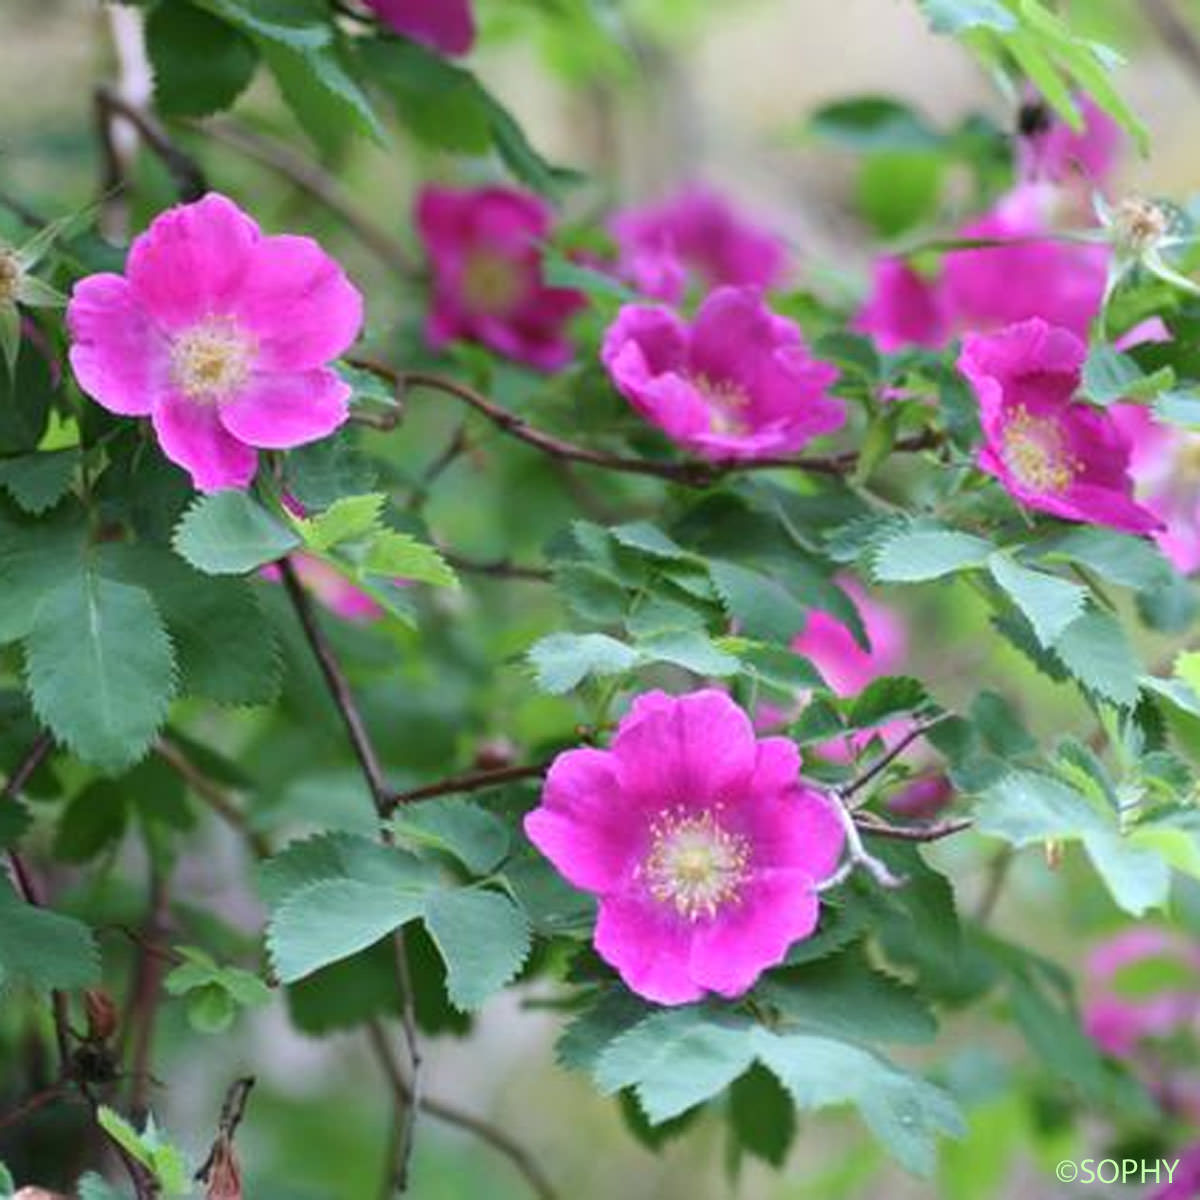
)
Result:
{"points": [[691, 473]]}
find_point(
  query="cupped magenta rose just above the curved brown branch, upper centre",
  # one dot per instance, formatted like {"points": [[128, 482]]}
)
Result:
{"points": [[737, 383]]}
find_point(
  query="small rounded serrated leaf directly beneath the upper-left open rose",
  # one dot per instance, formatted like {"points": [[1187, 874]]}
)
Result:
{"points": [[230, 533]]}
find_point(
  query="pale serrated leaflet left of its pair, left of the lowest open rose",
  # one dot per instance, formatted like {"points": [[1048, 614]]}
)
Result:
{"points": [[334, 920]]}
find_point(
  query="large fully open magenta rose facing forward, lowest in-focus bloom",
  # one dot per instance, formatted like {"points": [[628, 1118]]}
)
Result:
{"points": [[703, 844]]}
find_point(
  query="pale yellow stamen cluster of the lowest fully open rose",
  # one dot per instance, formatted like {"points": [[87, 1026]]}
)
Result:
{"points": [[694, 865]]}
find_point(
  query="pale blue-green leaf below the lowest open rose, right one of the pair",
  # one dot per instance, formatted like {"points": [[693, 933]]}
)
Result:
{"points": [[908, 1114]]}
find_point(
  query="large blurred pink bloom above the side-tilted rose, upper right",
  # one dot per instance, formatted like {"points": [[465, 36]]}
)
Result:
{"points": [[991, 287]]}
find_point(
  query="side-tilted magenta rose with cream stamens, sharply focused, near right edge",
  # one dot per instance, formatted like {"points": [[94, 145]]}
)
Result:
{"points": [[1051, 452]]}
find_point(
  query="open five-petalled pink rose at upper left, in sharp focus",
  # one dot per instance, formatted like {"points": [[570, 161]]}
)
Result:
{"points": [[221, 337]]}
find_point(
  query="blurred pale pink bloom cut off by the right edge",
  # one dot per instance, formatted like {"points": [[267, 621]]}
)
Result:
{"points": [[1163, 465]]}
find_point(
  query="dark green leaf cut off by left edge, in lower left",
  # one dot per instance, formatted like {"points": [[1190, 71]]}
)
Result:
{"points": [[44, 950]]}
